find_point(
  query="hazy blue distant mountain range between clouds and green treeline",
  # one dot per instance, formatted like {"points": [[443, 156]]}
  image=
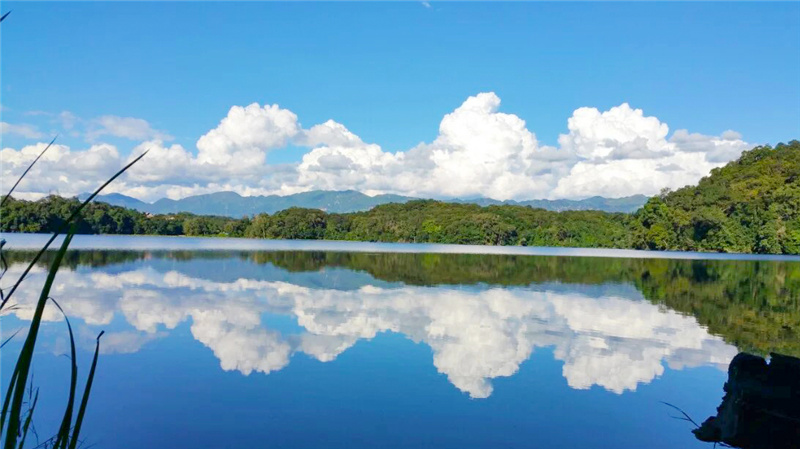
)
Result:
{"points": [[234, 205]]}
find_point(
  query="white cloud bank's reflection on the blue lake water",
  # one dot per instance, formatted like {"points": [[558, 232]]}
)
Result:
{"points": [[605, 337]]}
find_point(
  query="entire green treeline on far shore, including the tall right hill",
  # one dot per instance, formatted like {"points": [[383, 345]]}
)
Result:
{"points": [[752, 205]]}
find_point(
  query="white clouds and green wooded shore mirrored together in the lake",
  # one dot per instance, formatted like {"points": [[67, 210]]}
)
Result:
{"points": [[613, 322]]}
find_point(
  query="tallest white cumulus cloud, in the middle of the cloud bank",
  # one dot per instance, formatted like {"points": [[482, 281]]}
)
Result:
{"points": [[479, 151]]}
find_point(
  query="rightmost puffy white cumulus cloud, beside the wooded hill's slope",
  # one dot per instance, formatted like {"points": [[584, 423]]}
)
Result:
{"points": [[624, 152]]}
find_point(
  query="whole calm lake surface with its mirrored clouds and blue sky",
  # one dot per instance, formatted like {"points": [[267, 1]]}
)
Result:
{"points": [[217, 343]]}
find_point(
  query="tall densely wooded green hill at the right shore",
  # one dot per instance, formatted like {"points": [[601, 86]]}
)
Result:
{"points": [[751, 205]]}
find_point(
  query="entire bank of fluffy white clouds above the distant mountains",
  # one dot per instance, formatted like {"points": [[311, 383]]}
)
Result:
{"points": [[479, 151]]}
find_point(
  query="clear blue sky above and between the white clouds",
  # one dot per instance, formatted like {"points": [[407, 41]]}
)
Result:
{"points": [[390, 72]]}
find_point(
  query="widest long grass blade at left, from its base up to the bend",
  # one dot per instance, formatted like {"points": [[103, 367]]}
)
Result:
{"points": [[23, 365]]}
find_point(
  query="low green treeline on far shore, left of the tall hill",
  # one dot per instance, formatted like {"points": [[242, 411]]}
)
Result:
{"points": [[416, 221]]}
